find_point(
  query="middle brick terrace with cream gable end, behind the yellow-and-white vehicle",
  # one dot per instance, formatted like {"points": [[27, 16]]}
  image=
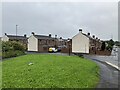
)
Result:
{"points": [[41, 43]]}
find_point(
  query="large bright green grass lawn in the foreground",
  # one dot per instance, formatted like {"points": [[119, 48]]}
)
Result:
{"points": [[49, 71]]}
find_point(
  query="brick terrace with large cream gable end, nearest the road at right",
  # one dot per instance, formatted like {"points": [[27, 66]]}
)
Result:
{"points": [[84, 43]]}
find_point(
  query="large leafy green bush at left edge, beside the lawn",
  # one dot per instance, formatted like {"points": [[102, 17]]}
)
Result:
{"points": [[12, 49]]}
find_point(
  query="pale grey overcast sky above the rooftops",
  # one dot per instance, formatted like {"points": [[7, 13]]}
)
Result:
{"points": [[61, 18]]}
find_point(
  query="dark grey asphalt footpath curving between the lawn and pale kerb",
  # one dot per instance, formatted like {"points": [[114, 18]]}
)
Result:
{"points": [[108, 75]]}
